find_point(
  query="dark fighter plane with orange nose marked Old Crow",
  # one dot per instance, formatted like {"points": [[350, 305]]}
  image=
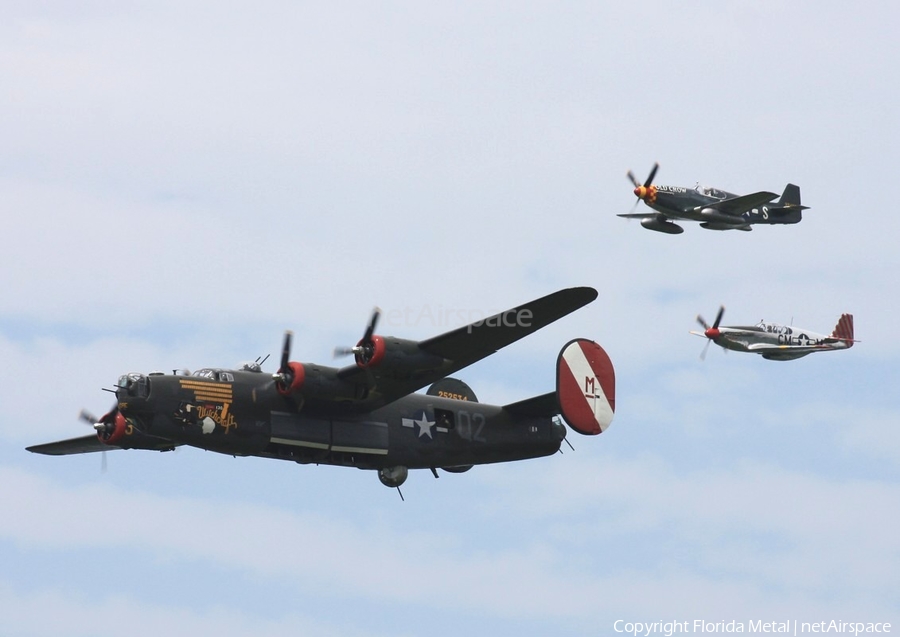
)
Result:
{"points": [[715, 209]]}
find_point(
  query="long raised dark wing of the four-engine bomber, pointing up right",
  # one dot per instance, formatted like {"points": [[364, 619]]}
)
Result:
{"points": [[466, 345]]}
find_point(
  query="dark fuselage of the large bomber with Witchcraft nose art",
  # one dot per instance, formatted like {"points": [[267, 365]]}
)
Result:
{"points": [[242, 413]]}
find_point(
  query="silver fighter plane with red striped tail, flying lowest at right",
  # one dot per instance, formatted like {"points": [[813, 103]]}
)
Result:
{"points": [[776, 342]]}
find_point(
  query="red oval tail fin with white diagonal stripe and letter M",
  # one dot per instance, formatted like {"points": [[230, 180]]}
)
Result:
{"points": [[586, 387]]}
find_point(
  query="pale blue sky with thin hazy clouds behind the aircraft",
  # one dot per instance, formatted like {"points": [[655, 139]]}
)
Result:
{"points": [[180, 182]]}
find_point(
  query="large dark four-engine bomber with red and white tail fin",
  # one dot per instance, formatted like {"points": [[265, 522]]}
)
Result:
{"points": [[367, 415]]}
